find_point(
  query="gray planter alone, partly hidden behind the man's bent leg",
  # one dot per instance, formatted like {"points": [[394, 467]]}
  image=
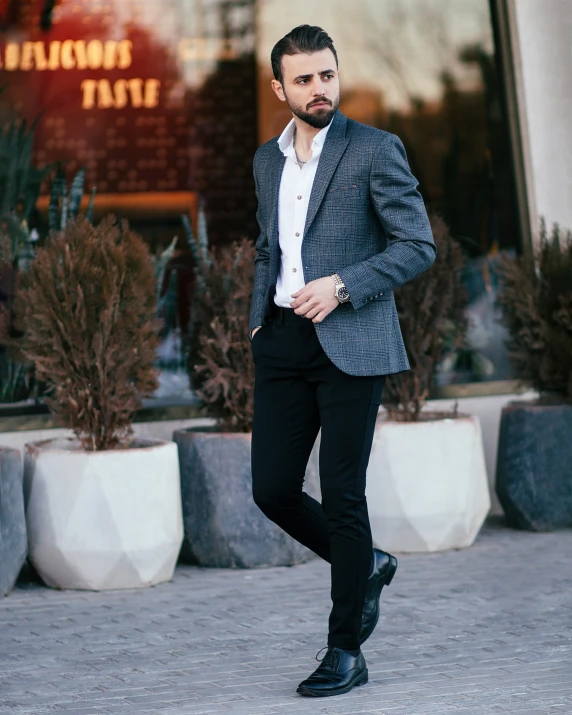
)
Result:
{"points": [[222, 524]]}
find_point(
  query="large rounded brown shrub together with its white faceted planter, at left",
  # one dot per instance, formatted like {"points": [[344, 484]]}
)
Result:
{"points": [[103, 508]]}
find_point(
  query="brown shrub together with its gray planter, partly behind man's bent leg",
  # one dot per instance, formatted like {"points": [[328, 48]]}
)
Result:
{"points": [[223, 526]]}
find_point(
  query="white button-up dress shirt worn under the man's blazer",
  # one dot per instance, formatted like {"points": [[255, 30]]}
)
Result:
{"points": [[295, 189]]}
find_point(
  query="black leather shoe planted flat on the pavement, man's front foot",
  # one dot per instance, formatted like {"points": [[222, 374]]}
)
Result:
{"points": [[337, 673]]}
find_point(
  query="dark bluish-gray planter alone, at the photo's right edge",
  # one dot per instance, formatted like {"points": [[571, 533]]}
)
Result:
{"points": [[534, 466]]}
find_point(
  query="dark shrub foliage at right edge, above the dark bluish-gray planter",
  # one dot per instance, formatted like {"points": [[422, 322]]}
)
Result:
{"points": [[536, 300]]}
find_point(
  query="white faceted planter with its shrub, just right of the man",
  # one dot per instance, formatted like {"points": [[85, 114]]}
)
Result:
{"points": [[427, 486]]}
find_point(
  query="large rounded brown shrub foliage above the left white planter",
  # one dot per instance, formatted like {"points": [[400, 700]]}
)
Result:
{"points": [[87, 310]]}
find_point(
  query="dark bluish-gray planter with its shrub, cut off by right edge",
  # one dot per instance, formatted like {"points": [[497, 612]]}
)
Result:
{"points": [[534, 462]]}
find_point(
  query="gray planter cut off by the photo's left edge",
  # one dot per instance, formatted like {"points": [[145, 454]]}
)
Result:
{"points": [[13, 539]]}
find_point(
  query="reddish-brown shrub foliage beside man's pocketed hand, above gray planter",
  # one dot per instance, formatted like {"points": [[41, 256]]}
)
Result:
{"points": [[223, 366]]}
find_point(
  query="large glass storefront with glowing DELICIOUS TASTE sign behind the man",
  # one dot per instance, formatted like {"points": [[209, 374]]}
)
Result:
{"points": [[164, 104]]}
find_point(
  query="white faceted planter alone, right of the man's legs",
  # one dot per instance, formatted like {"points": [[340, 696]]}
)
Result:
{"points": [[427, 486]]}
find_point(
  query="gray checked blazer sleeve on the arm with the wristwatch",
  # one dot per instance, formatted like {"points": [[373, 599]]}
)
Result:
{"points": [[401, 212]]}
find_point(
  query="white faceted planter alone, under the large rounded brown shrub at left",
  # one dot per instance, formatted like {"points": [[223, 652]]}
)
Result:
{"points": [[107, 519]]}
